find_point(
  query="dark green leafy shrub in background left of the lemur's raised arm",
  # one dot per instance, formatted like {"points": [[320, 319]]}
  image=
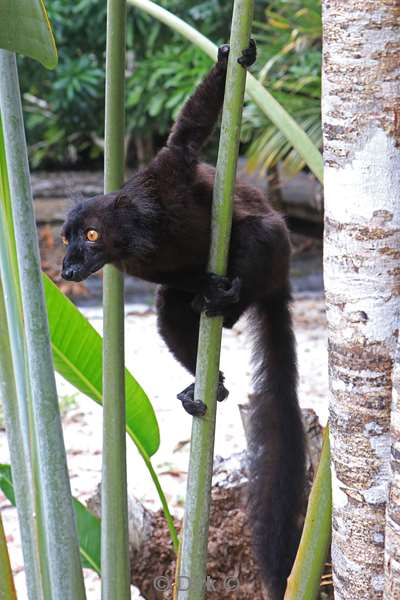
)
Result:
{"points": [[64, 108]]}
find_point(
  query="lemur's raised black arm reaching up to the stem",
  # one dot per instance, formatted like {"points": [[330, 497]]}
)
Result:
{"points": [[200, 113]]}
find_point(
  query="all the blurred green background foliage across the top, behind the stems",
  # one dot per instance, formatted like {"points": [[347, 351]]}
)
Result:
{"points": [[64, 109]]}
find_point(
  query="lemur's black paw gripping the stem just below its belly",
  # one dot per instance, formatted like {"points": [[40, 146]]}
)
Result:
{"points": [[217, 296]]}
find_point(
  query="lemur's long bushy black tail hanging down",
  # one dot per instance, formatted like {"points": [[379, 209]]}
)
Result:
{"points": [[277, 447]]}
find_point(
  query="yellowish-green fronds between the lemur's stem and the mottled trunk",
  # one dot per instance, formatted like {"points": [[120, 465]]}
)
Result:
{"points": [[289, 58]]}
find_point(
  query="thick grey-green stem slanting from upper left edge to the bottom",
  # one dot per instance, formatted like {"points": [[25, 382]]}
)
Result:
{"points": [[62, 555]]}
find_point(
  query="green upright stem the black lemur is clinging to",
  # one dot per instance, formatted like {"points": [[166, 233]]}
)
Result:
{"points": [[197, 506]]}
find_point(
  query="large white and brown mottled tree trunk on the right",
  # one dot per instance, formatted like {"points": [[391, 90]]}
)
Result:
{"points": [[361, 122]]}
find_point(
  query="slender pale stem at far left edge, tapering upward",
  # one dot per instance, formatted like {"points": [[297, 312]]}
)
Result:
{"points": [[17, 402]]}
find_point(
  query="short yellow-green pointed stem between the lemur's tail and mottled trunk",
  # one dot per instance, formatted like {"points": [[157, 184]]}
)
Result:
{"points": [[305, 578]]}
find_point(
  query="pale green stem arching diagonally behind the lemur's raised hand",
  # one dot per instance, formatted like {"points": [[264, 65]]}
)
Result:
{"points": [[264, 100]]}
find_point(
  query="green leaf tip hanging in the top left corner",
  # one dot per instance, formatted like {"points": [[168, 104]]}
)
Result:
{"points": [[25, 28]]}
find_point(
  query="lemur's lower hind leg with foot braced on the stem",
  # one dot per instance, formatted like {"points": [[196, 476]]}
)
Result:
{"points": [[178, 324]]}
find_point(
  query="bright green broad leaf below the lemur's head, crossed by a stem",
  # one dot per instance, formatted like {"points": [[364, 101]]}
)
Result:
{"points": [[77, 351]]}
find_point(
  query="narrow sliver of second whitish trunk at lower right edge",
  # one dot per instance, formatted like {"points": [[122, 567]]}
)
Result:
{"points": [[392, 537]]}
